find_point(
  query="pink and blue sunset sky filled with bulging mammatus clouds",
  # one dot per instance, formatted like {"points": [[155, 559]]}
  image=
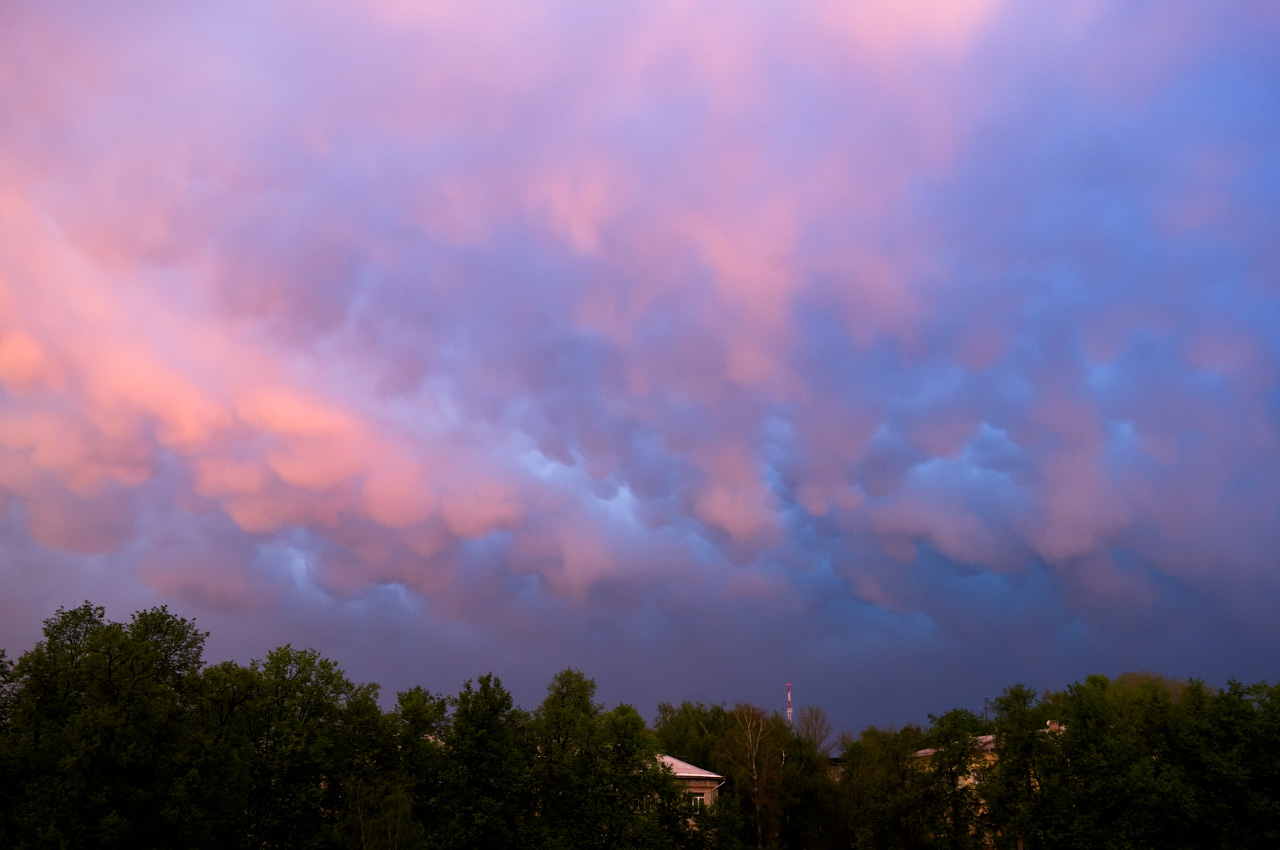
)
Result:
{"points": [[898, 351]]}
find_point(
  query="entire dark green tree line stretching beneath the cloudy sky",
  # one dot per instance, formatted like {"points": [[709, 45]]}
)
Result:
{"points": [[118, 734]]}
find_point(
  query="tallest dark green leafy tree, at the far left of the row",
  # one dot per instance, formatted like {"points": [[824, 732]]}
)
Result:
{"points": [[102, 737]]}
